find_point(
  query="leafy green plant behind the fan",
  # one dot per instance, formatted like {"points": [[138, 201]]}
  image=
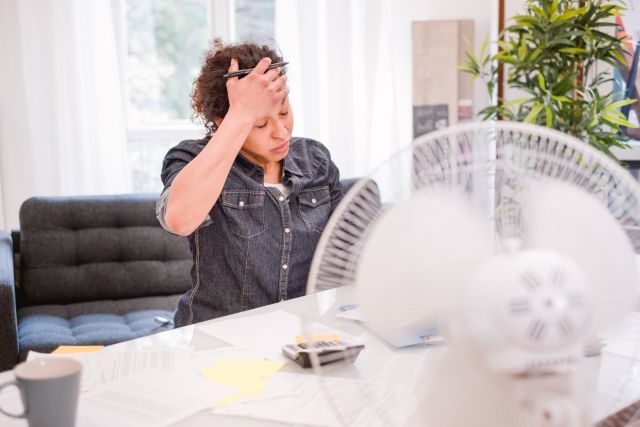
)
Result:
{"points": [[555, 57]]}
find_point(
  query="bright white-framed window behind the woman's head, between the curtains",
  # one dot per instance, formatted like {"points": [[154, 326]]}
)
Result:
{"points": [[163, 43]]}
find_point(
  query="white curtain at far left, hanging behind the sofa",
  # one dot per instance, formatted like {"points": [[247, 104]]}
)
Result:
{"points": [[62, 128]]}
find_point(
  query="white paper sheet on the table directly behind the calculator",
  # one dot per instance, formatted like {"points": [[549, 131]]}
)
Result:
{"points": [[276, 329]]}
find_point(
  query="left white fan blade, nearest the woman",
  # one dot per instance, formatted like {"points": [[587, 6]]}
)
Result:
{"points": [[418, 256]]}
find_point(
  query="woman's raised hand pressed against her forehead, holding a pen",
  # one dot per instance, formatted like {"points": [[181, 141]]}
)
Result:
{"points": [[259, 93]]}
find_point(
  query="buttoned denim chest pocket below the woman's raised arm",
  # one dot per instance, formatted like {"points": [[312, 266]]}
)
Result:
{"points": [[244, 210]]}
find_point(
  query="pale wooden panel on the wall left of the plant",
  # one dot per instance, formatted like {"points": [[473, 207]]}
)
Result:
{"points": [[442, 95]]}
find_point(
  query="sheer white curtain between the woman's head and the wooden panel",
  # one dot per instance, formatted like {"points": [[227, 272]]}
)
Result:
{"points": [[347, 80]]}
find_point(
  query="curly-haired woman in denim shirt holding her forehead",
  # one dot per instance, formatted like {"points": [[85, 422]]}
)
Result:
{"points": [[251, 199]]}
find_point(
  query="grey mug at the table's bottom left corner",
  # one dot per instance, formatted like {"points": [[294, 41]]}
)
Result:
{"points": [[49, 389]]}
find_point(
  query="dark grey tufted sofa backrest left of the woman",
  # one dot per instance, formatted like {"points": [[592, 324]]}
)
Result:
{"points": [[75, 249]]}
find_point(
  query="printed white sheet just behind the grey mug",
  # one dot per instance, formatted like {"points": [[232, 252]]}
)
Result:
{"points": [[104, 367]]}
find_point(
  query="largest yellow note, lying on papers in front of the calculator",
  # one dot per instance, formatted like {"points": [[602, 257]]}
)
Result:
{"points": [[250, 376]]}
